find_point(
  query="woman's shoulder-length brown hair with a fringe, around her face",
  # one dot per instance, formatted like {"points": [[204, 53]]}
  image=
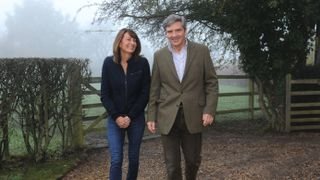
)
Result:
{"points": [[116, 43]]}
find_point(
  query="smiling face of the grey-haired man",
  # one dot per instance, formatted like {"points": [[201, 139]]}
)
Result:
{"points": [[176, 35]]}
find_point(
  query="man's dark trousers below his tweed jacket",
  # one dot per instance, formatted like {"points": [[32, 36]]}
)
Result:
{"points": [[179, 137]]}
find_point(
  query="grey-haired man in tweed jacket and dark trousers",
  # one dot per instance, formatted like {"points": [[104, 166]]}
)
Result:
{"points": [[183, 98]]}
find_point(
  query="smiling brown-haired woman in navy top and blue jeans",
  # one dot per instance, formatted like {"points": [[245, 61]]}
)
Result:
{"points": [[124, 93]]}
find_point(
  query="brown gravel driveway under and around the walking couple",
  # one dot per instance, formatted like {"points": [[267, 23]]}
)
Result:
{"points": [[234, 150]]}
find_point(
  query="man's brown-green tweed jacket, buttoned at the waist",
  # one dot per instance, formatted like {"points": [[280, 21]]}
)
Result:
{"points": [[197, 92]]}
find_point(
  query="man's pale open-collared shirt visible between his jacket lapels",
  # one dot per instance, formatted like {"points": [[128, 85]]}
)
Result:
{"points": [[179, 59]]}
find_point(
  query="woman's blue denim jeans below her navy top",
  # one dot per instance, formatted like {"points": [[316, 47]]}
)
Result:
{"points": [[116, 137]]}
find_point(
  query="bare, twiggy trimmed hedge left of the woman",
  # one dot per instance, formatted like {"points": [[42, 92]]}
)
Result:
{"points": [[43, 98]]}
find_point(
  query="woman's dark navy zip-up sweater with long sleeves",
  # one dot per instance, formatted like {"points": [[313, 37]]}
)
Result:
{"points": [[125, 94]]}
